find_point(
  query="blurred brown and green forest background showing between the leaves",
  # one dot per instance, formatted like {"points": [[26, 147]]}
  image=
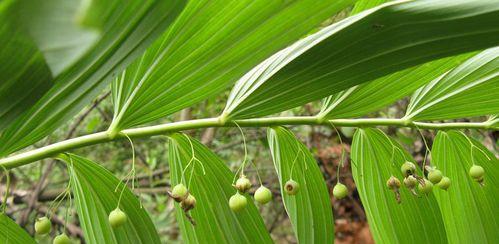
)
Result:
{"points": [[35, 186]]}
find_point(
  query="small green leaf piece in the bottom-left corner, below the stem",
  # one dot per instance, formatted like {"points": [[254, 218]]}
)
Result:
{"points": [[11, 233]]}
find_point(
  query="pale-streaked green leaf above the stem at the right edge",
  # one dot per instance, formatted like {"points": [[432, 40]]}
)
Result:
{"points": [[471, 89]]}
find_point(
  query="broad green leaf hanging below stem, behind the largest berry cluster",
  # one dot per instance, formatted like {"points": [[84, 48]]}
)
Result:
{"points": [[415, 219]]}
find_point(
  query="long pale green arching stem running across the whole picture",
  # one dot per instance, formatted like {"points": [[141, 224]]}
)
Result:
{"points": [[102, 137]]}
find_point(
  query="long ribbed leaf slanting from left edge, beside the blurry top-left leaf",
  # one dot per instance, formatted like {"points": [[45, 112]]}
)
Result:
{"points": [[127, 30]]}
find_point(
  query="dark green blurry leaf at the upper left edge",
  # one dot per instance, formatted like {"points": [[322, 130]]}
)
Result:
{"points": [[24, 75]]}
